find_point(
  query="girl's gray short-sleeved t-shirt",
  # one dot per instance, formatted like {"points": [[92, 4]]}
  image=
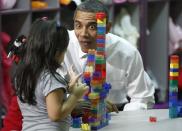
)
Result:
{"points": [[35, 118]]}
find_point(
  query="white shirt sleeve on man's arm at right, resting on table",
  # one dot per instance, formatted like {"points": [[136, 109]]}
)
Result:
{"points": [[139, 89]]}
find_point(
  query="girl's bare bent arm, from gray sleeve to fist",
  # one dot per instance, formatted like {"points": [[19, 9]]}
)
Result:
{"points": [[56, 108]]}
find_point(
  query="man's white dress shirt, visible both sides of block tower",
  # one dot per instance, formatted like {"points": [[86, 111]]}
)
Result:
{"points": [[124, 68]]}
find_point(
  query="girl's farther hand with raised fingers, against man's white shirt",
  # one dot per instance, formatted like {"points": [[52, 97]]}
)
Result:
{"points": [[73, 78]]}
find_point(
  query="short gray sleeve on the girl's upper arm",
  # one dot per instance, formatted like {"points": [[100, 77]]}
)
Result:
{"points": [[51, 83]]}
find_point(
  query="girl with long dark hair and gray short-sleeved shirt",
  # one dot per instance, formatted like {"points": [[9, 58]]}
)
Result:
{"points": [[40, 89]]}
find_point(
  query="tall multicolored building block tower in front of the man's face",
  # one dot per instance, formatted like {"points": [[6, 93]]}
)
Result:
{"points": [[95, 77]]}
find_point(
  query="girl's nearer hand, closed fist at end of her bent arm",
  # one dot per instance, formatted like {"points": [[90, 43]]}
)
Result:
{"points": [[79, 89]]}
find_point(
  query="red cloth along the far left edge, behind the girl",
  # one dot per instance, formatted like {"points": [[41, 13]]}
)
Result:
{"points": [[13, 117]]}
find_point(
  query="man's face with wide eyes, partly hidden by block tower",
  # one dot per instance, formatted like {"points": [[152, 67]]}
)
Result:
{"points": [[85, 27]]}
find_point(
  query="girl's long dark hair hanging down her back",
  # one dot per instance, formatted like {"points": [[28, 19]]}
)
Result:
{"points": [[46, 38]]}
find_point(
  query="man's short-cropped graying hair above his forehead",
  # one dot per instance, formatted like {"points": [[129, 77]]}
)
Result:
{"points": [[92, 6]]}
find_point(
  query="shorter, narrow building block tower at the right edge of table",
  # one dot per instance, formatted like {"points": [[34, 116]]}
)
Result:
{"points": [[175, 108]]}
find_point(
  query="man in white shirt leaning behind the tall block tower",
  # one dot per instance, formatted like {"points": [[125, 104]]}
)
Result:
{"points": [[124, 64]]}
